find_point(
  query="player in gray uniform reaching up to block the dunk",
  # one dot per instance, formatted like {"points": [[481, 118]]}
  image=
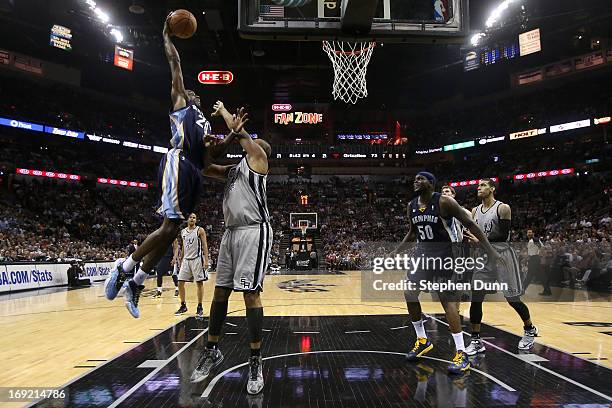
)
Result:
{"points": [[244, 254]]}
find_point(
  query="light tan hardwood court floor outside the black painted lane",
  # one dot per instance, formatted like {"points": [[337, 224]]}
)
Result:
{"points": [[50, 339]]}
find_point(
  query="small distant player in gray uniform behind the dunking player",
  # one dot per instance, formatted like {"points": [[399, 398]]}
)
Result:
{"points": [[193, 261]]}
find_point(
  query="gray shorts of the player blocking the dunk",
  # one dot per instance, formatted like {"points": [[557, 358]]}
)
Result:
{"points": [[244, 257]]}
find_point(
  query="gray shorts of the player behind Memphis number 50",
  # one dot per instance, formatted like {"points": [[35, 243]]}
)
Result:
{"points": [[507, 270]]}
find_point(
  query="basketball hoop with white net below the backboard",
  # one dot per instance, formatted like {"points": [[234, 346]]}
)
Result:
{"points": [[350, 62]]}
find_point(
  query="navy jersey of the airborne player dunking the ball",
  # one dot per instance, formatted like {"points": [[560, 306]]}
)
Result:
{"points": [[189, 127]]}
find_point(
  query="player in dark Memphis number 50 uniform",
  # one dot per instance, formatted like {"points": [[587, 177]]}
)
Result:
{"points": [[429, 217]]}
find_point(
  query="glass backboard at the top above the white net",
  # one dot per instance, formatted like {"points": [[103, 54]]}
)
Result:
{"points": [[409, 21]]}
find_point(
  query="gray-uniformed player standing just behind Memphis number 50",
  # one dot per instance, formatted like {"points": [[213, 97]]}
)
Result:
{"points": [[494, 217]]}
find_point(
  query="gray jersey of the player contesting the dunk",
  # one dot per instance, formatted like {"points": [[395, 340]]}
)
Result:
{"points": [[245, 200]]}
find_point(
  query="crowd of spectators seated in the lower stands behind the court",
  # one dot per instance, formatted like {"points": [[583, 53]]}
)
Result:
{"points": [[358, 218]]}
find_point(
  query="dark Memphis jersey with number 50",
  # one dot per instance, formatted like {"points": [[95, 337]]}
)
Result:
{"points": [[430, 226]]}
